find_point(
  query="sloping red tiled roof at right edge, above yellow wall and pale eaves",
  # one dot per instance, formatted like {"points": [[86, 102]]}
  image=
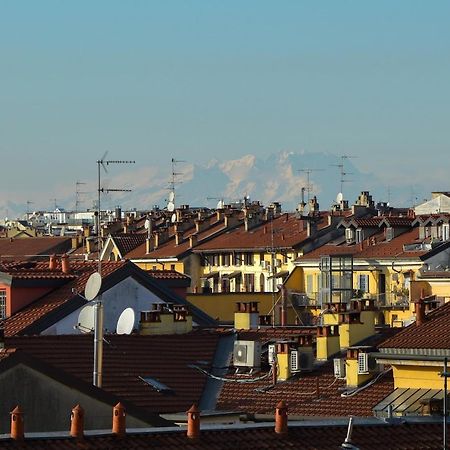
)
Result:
{"points": [[432, 334]]}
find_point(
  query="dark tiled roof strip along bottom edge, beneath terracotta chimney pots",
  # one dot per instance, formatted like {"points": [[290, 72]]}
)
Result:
{"points": [[400, 436]]}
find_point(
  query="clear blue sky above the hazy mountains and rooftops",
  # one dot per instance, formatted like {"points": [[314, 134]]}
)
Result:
{"points": [[199, 80]]}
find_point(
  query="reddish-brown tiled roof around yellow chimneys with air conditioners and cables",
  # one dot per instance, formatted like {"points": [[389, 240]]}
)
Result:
{"points": [[301, 395]]}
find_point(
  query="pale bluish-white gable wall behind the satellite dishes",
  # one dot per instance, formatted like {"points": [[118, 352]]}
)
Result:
{"points": [[126, 294]]}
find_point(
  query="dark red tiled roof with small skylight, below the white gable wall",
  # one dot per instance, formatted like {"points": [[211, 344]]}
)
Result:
{"points": [[165, 358]]}
